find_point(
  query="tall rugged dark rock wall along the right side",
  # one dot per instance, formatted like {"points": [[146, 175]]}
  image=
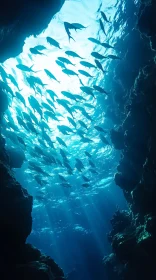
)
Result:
{"points": [[133, 237]]}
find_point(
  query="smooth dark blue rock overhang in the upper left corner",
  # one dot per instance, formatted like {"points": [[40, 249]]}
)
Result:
{"points": [[20, 19]]}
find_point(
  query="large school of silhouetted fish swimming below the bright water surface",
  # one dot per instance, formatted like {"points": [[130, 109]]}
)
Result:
{"points": [[33, 119]]}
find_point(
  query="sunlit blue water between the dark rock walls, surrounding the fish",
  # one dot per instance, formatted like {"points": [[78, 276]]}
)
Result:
{"points": [[71, 224]]}
